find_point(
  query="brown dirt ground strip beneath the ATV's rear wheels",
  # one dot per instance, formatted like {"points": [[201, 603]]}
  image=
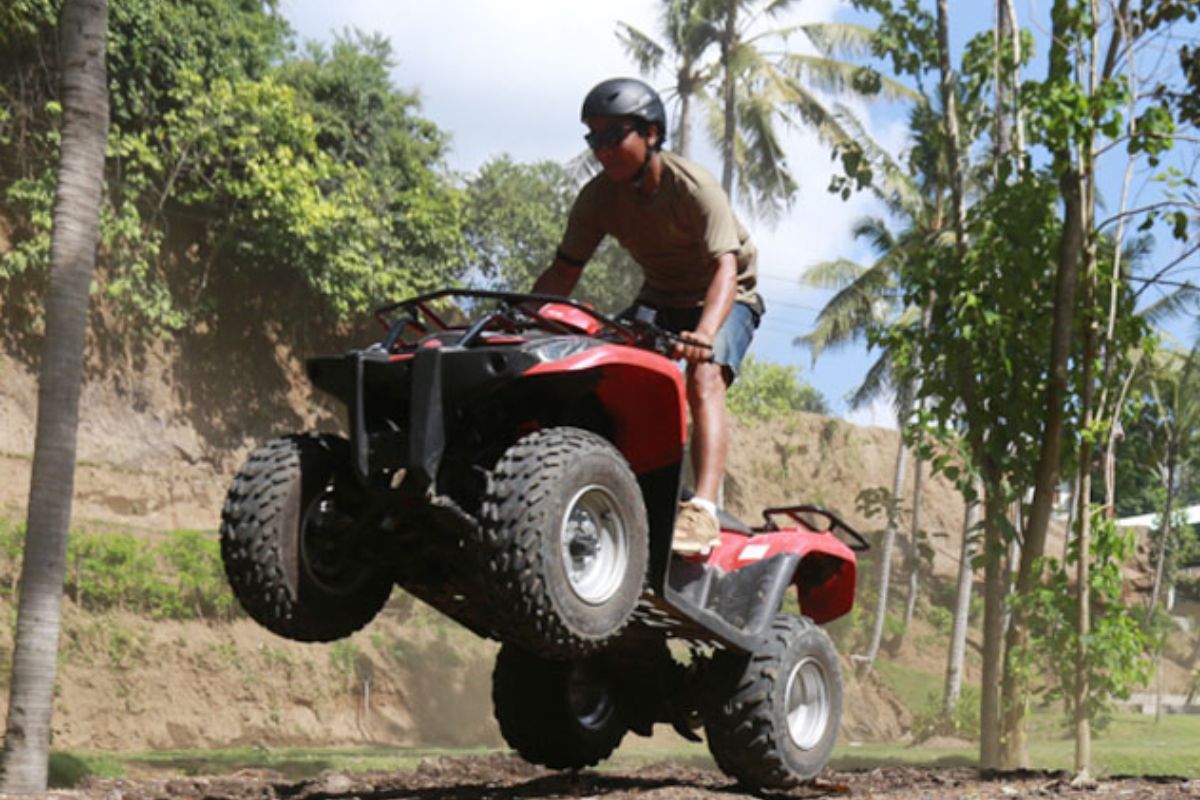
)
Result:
{"points": [[506, 778]]}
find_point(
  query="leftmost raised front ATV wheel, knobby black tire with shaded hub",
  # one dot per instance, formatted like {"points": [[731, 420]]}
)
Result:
{"points": [[286, 543]]}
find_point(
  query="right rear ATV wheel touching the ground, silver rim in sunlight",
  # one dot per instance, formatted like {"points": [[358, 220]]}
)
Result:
{"points": [[772, 717]]}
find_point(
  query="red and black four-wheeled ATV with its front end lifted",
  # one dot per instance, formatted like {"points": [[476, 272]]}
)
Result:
{"points": [[521, 474]]}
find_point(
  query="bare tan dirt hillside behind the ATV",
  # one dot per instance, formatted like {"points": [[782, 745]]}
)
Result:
{"points": [[163, 432]]}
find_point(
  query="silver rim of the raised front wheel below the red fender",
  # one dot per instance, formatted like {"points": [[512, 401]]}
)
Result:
{"points": [[595, 545]]}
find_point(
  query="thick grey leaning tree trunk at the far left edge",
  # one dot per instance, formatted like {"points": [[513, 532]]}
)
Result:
{"points": [[83, 26]]}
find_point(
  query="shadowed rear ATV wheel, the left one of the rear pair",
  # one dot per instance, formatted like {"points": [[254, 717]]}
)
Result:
{"points": [[557, 714]]}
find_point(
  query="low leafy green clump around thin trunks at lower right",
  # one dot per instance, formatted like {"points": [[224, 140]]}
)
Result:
{"points": [[1117, 646]]}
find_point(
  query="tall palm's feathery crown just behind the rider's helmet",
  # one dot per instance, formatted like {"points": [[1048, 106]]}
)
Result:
{"points": [[752, 88]]}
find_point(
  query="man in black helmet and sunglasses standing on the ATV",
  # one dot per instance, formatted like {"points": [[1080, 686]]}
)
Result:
{"points": [[698, 263]]}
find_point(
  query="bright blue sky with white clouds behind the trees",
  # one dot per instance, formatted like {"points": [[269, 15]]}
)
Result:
{"points": [[509, 76]]}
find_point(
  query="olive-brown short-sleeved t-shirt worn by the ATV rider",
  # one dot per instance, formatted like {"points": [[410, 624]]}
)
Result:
{"points": [[675, 234]]}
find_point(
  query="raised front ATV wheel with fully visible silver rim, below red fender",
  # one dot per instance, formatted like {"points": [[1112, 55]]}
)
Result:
{"points": [[565, 542]]}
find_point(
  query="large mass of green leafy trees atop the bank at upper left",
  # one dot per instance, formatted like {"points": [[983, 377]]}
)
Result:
{"points": [[236, 165]]}
